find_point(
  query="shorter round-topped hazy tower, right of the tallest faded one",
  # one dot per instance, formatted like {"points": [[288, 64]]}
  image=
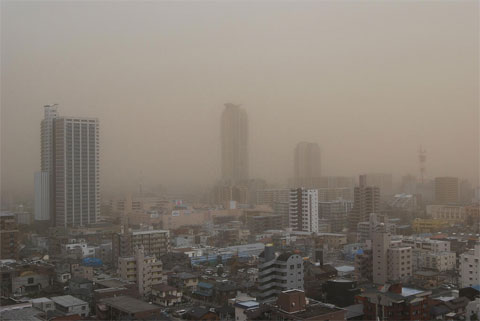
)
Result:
{"points": [[306, 165]]}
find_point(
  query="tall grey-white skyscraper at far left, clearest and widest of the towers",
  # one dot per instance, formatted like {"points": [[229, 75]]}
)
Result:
{"points": [[69, 178]]}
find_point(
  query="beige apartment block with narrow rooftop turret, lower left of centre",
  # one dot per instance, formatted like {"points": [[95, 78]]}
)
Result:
{"points": [[146, 271]]}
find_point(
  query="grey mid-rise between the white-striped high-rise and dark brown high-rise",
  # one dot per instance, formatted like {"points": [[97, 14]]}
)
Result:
{"points": [[335, 213]]}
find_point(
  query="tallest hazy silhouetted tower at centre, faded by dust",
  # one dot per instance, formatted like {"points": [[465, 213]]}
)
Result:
{"points": [[234, 145]]}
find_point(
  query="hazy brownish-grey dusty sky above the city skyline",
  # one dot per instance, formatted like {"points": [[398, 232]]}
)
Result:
{"points": [[368, 81]]}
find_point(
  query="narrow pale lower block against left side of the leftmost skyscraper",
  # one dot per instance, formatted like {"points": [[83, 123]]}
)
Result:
{"points": [[42, 200]]}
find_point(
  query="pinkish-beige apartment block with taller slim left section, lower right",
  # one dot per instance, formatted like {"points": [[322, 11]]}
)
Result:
{"points": [[391, 260]]}
